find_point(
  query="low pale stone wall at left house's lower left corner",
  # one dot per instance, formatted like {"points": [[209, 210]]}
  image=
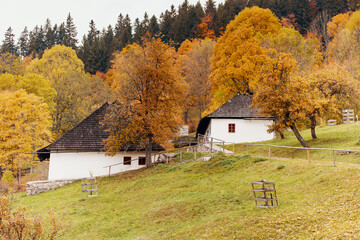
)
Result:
{"points": [[36, 187]]}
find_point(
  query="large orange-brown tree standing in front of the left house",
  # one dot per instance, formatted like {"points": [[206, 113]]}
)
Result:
{"points": [[148, 90]]}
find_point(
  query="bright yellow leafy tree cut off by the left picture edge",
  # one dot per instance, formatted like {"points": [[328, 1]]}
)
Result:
{"points": [[24, 124]]}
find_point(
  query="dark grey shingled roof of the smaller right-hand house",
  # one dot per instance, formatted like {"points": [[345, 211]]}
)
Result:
{"points": [[237, 107]]}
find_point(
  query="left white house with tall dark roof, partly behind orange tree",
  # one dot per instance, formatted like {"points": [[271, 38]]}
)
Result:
{"points": [[80, 152]]}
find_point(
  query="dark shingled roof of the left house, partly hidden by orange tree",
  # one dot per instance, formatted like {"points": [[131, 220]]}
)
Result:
{"points": [[87, 136]]}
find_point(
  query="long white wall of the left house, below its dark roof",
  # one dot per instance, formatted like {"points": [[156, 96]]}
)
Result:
{"points": [[83, 164]]}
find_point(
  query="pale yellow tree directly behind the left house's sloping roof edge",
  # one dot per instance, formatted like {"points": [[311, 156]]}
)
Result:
{"points": [[65, 71]]}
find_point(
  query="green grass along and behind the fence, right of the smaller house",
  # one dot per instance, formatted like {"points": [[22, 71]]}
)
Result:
{"points": [[343, 136]]}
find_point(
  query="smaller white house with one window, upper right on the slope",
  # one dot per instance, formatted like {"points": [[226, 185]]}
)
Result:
{"points": [[236, 122]]}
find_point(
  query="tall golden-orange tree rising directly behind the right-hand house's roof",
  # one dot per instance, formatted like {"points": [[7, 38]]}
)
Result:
{"points": [[238, 54]]}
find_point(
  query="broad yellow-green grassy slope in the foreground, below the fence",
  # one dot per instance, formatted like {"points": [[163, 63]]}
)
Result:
{"points": [[213, 200]]}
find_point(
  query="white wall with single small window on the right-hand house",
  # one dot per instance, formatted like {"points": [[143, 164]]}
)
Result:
{"points": [[245, 130]]}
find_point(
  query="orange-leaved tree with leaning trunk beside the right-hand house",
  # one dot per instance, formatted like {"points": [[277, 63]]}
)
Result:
{"points": [[280, 94]]}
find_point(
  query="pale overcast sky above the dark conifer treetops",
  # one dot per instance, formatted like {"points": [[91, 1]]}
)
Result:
{"points": [[21, 13]]}
